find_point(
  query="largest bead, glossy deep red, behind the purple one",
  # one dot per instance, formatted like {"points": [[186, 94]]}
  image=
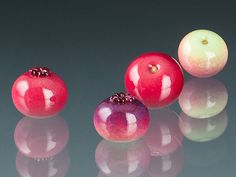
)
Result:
{"points": [[154, 78]]}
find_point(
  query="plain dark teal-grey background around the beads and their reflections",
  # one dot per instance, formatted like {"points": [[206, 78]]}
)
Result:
{"points": [[90, 44]]}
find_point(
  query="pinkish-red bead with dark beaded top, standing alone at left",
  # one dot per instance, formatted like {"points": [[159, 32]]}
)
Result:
{"points": [[39, 93]]}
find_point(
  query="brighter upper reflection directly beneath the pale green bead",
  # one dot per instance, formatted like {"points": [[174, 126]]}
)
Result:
{"points": [[203, 98]]}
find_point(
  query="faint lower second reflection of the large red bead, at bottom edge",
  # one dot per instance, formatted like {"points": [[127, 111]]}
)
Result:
{"points": [[167, 166]]}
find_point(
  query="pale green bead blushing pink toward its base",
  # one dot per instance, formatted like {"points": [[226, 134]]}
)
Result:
{"points": [[203, 53]]}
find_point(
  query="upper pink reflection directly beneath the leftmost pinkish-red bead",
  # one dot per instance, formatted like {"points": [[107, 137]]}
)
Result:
{"points": [[41, 138]]}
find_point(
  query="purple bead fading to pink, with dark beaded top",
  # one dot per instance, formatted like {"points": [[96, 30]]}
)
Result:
{"points": [[121, 118]]}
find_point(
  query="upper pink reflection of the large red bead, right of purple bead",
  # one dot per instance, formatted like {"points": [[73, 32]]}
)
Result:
{"points": [[163, 136]]}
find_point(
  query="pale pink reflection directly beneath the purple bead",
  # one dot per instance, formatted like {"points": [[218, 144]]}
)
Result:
{"points": [[122, 159]]}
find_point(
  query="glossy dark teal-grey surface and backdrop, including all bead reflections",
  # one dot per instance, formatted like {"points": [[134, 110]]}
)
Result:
{"points": [[90, 44]]}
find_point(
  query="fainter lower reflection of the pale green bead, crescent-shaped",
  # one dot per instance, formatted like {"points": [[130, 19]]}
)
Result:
{"points": [[203, 130]]}
